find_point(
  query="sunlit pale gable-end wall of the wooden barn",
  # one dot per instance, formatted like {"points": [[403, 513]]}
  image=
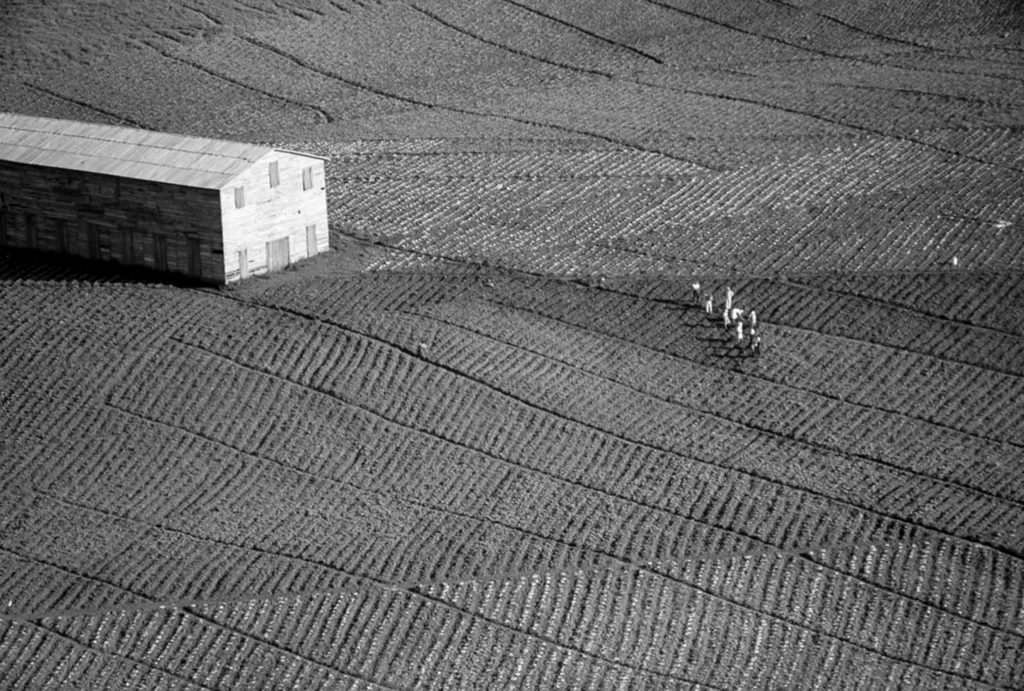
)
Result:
{"points": [[270, 213]]}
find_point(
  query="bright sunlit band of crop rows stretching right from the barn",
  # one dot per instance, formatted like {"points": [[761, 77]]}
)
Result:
{"points": [[851, 209]]}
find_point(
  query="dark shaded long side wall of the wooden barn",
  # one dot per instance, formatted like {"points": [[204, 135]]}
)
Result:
{"points": [[113, 220]]}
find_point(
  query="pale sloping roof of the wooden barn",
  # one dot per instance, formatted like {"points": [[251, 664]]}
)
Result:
{"points": [[125, 152]]}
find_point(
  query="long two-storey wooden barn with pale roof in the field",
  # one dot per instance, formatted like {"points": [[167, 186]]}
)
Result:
{"points": [[212, 210]]}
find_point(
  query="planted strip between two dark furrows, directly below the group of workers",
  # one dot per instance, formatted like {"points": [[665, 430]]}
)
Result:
{"points": [[840, 428]]}
